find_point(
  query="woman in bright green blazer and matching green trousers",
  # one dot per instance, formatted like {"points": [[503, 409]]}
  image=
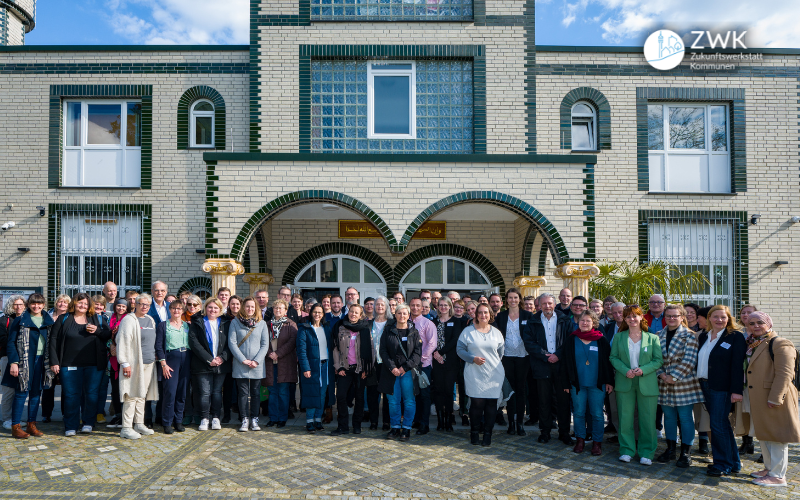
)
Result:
{"points": [[636, 355]]}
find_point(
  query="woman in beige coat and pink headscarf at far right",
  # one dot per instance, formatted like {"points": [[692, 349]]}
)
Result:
{"points": [[773, 397]]}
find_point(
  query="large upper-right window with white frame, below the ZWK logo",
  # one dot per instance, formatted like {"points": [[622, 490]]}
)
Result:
{"points": [[689, 147]]}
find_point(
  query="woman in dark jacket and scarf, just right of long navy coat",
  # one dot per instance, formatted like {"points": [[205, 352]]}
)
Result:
{"points": [[353, 360]]}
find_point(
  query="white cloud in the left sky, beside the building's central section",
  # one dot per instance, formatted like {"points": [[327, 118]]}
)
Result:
{"points": [[181, 21]]}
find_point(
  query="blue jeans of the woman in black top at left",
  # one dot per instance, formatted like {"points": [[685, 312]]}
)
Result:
{"points": [[80, 384]]}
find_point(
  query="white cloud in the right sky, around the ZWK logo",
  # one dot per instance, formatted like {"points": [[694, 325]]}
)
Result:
{"points": [[769, 23]]}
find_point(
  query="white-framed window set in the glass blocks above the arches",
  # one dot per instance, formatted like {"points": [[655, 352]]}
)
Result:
{"points": [[391, 100]]}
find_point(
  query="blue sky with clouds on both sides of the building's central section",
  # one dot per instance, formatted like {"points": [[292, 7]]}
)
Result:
{"points": [[770, 23]]}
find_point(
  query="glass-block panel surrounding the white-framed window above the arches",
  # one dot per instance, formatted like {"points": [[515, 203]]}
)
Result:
{"points": [[443, 96]]}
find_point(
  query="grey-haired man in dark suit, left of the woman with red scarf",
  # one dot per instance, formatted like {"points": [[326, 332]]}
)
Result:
{"points": [[544, 342]]}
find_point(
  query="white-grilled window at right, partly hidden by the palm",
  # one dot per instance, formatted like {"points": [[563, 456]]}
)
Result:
{"points": [[706, 246]]}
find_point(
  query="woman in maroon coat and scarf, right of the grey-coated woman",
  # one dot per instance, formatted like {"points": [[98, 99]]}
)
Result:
{"points": [[281, 363]]}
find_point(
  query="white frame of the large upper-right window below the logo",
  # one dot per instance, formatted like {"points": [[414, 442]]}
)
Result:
{"points": [[661, 184]]}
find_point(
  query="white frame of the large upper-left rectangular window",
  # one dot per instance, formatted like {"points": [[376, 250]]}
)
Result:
{"points": [[85, 146]]}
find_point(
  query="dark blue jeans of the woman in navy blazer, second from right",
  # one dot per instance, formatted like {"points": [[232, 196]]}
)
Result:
{"points": [[723, 443]]}
